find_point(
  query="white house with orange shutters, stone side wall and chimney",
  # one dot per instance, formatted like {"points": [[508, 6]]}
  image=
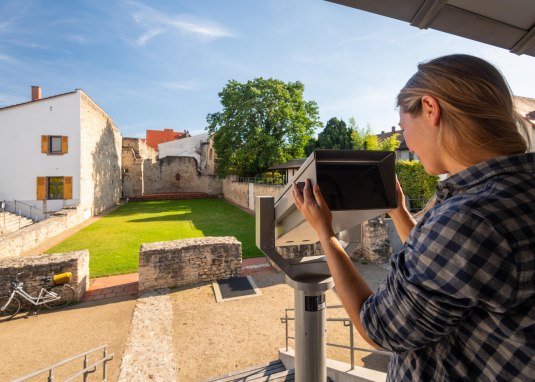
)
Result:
{"points": [[58, 151]]}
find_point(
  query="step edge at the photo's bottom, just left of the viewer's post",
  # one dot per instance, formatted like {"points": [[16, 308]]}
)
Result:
{"points": [[273, 372]]}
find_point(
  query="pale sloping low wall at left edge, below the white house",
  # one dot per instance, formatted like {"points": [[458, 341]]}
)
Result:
{"points": [[18, 242]]}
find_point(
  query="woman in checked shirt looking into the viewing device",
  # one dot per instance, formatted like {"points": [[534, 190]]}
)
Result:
{"points": [[459, 300]]}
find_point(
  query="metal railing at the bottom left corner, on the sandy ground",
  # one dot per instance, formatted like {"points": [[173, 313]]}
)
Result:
{"points": [[87, 369]]}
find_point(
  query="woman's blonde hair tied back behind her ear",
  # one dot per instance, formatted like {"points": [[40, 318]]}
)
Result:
{"points": [[477, 112]]}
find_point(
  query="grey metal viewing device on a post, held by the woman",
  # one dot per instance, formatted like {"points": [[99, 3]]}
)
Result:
{"points": [[357, 186]]}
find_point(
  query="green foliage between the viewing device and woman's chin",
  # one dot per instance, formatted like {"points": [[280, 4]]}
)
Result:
{"points": [[416, 183]]}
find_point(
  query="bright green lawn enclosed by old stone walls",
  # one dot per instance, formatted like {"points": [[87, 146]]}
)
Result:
{"points": [[114, 240]]}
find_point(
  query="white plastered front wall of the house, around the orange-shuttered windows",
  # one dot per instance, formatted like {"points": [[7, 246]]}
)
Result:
{"points": [[21, 160]]}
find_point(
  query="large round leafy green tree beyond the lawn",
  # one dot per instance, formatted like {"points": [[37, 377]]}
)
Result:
{"points": [[263, 122]]}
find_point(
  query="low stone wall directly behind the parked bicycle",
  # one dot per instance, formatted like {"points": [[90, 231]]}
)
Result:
{"points": [[36, 268]]}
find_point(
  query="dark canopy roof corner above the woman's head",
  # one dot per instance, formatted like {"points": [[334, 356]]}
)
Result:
{"points": [[508, 24]]}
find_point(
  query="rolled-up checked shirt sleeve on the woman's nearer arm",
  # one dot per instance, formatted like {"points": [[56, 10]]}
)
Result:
{"points": [[451, 264]]}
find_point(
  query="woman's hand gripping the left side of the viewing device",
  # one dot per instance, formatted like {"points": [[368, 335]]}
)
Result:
{"points": [[314, 208]]}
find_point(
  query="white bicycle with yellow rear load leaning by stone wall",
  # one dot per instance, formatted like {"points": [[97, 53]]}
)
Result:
{"points": [[56, 294]]}
